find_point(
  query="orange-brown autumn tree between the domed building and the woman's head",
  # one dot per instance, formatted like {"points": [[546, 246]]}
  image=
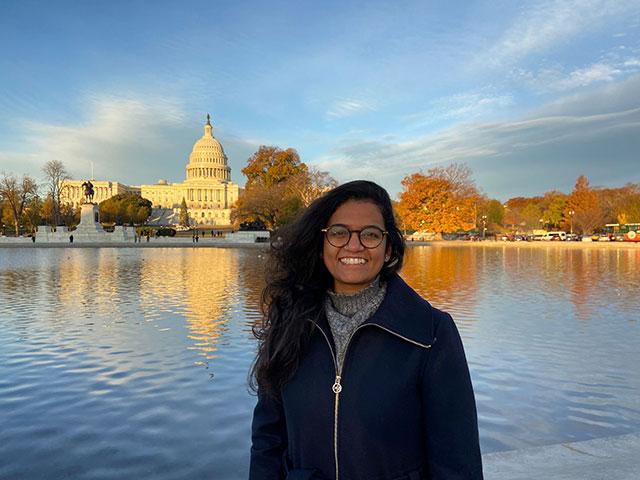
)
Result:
{"points": [[278, 186]]}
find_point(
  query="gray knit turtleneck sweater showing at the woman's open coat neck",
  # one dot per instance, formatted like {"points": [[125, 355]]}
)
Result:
{"points": [[346, 312]]}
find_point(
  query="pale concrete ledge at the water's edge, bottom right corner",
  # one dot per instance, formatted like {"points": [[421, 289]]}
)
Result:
{"points": [[610, 458]]}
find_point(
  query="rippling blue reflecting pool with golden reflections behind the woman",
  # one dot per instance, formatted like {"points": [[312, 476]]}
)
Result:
{"points": [[126, 363]]}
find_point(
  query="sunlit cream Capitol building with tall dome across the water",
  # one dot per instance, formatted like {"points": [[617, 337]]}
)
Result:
{"points": [[207, 190]]}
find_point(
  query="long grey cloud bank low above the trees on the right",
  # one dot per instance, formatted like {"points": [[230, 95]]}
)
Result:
{"points": [[546, 149]]}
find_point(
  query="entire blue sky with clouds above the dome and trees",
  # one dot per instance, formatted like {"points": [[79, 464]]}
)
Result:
{"points": [[529, 95]]}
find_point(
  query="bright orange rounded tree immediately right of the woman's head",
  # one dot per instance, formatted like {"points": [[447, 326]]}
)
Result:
{"points": [[444, 200]]}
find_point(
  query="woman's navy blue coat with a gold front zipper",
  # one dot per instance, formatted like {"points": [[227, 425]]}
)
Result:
{"points": [[402, 408]]}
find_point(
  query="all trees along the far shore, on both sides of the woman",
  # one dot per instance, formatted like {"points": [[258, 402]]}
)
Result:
{"points": [[279, 185]]}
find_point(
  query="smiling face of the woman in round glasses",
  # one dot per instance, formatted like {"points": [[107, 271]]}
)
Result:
{"points": [[353, 267]]}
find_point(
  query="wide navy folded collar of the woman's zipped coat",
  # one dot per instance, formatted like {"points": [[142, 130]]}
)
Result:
{"points": [[402, 313]]}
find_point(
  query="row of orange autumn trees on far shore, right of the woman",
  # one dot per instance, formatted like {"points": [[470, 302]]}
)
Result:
{"points": [[446, 200]]}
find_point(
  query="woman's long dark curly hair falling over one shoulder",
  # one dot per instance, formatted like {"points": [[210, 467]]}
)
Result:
{"points": [[297, 281]]}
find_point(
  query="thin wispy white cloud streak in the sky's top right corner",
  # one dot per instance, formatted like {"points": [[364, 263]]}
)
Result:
{"points": [[547, 24]]}
